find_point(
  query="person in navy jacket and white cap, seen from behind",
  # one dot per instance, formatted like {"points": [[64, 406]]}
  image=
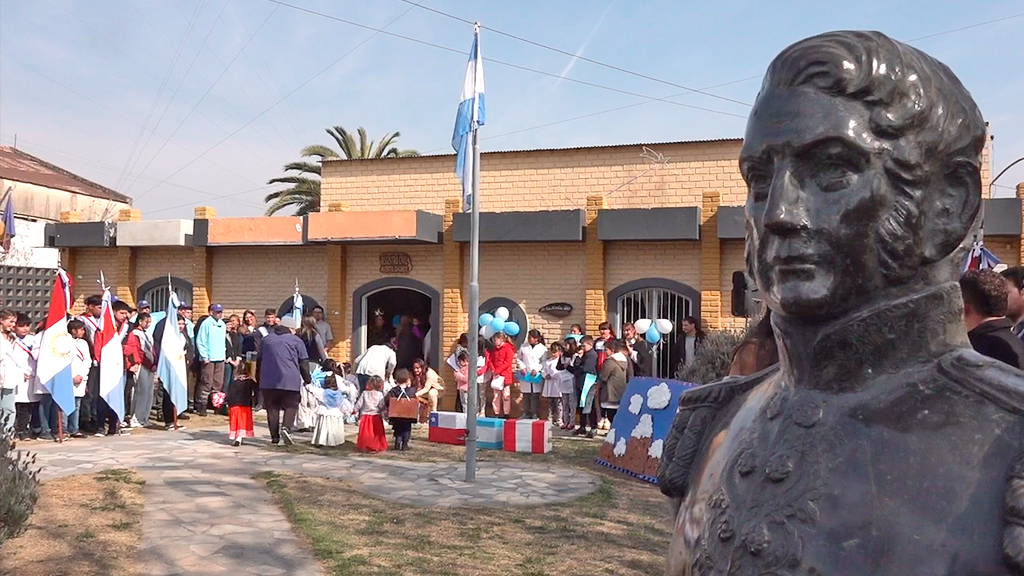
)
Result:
{"points": [[282, 368]]}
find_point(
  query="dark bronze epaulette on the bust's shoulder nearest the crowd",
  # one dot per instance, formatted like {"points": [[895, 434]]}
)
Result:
{"points": [[698, 413]]}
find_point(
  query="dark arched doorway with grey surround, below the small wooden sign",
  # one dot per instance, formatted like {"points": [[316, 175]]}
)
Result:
{"points": [[393, 298]]}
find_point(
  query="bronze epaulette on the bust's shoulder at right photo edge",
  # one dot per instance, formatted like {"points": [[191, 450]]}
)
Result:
{"points": [[997, 382]]}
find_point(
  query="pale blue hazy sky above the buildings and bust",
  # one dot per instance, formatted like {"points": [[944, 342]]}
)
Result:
{"points": [[80, 79]]}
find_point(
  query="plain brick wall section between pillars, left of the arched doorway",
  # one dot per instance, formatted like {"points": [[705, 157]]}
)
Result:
{"points": [[257, 278]]}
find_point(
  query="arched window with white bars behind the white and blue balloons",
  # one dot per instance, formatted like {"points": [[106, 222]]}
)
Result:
{"points": [[654, 299]]}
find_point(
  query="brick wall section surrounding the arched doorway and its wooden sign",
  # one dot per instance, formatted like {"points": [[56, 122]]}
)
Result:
{"points": [[364, 267]]}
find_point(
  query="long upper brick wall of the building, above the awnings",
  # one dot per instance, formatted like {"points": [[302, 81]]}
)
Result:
{"points": [[544, 180]]}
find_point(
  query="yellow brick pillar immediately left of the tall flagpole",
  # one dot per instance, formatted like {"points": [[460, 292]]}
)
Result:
{"points": [[454, 313]]}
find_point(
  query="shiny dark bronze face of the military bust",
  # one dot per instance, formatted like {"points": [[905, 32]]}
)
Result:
{"points": [[817, 195]]}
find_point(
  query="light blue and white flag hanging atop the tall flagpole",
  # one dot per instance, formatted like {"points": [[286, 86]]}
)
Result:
{"points": [[472, 116]]}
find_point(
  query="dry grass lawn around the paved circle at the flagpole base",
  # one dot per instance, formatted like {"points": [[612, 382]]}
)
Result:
{"points": [[622, 529]]}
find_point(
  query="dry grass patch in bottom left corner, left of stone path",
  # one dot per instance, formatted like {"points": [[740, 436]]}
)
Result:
{"points": [[82, 526]]}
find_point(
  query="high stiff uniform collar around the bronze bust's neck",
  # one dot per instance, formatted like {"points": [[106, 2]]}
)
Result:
{"points": [[847, 354]]}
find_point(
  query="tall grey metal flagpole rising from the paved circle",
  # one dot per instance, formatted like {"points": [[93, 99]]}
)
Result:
{"points": [[475, 315]]}
